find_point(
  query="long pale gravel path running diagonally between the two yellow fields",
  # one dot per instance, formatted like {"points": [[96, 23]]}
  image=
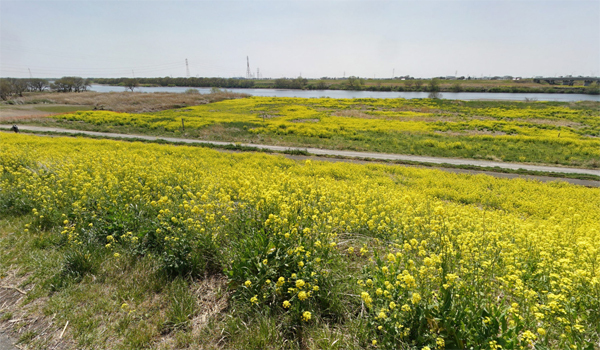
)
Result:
{"points": [[324, 152]]}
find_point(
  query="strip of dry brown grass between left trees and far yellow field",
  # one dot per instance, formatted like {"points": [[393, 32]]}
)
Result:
{"points": [[131, 102]]}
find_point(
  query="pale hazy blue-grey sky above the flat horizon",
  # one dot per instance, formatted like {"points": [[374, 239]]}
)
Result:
{"points": [[286, 38]]}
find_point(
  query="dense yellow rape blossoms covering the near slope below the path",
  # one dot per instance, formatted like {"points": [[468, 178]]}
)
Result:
{"points": [[448, 260]]}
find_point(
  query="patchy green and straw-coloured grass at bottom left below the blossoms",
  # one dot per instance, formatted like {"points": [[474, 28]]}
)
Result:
{"points": [[134, 306]]}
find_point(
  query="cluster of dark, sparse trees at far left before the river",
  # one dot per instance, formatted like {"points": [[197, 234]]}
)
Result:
{"points": [[16, 87]]}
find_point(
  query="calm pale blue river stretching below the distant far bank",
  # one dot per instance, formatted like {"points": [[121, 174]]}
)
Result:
{"points": [[368, 94]]}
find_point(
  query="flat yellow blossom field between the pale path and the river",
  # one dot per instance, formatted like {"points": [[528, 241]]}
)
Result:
{"points": [[535, 132]]}
